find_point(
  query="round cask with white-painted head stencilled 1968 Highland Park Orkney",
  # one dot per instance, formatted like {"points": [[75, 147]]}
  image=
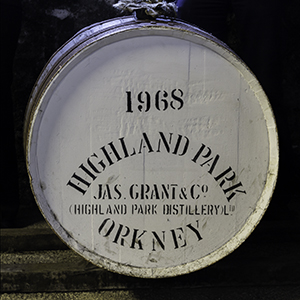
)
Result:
{"points": [[151, 147]]}
